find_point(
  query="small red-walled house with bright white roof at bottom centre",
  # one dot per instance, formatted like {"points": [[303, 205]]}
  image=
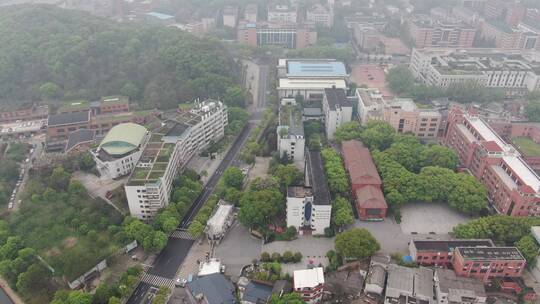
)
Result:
{"points": [[309, 284]]}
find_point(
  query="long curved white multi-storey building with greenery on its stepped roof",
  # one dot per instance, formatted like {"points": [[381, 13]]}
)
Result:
{"points": [[166, 153]]}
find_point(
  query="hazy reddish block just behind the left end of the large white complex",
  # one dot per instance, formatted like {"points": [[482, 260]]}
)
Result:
{"points": [[437, 33]]}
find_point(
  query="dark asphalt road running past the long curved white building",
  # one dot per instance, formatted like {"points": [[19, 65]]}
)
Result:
{"points": [[171, 257]]}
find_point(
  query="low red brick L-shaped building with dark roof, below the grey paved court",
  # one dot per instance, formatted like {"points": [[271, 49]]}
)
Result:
{"points": [[439, 253]]}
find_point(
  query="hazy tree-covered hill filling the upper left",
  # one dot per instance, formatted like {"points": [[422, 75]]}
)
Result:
{"points": [[51, 53]]}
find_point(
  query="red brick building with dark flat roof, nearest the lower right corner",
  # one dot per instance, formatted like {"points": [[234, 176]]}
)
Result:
{"points": [[487, 264]]}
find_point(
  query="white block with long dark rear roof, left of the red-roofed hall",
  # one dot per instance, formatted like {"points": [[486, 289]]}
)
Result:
{"points": [[309, 208]]}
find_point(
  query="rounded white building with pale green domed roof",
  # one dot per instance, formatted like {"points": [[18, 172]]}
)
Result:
{"points": [[120, 150]]}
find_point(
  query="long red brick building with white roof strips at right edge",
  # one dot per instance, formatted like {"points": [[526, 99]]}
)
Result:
{"points": [[513, 186]]}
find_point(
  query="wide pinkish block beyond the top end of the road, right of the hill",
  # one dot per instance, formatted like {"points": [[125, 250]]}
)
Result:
{"points": [[287, 36]]}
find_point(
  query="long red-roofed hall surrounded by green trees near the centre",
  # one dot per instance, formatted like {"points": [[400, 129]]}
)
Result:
{"points": [[365, 181]]}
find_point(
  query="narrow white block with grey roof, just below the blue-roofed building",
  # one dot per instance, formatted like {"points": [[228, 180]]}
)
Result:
{"points": [[290, 133]]}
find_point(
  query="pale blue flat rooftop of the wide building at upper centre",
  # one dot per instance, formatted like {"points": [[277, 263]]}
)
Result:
{"points": [[316, 68]]}
